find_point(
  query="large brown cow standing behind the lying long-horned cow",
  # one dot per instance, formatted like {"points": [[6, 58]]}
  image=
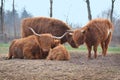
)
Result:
{"points": [[43, 25]]}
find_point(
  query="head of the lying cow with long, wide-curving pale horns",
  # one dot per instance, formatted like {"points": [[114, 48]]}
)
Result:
{"points": [[47, 41]]}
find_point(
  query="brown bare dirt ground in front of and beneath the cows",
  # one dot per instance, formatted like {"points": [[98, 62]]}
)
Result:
{"points": [[77, 68]]}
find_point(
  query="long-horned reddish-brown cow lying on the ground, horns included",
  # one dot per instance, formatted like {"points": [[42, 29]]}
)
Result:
{"points": [[35, 46]]}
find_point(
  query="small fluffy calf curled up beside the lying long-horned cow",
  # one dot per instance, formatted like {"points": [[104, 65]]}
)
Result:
{"points": [[58, 53]]}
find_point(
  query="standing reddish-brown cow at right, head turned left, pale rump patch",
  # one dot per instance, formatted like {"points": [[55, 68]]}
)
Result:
{"points": [[97, 31]]}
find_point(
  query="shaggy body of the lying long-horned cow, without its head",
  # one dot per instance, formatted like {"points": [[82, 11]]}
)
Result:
{"points": [[25, 48]]}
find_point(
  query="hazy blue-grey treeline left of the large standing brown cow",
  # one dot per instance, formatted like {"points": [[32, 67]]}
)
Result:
{"points": [[12, 25]]}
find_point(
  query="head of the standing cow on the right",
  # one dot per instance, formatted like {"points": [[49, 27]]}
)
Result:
{"points": [[78, 36]]}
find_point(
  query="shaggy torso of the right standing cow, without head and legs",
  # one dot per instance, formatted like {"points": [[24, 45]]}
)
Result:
{"points": [[98, 30]]}
